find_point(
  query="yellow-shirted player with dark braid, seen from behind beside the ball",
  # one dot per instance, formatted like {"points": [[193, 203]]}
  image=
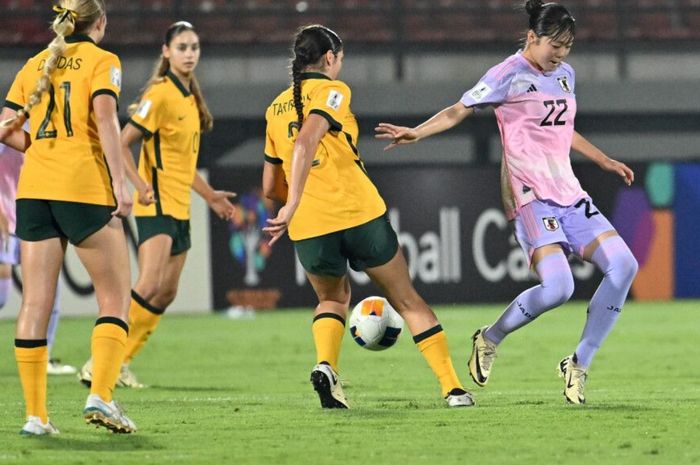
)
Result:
{"points": [[335, 214]]}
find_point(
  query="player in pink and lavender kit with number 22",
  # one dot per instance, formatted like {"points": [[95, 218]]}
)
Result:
{"points": [[533, 95]]}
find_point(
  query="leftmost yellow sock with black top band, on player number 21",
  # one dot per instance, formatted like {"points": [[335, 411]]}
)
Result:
{"points": [[32, 358]]}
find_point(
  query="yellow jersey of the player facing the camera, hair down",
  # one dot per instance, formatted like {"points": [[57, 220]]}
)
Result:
{"points": [[169, 120]]}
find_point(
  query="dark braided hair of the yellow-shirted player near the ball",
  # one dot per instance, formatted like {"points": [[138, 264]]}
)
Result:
{"points": [[310, 44]]}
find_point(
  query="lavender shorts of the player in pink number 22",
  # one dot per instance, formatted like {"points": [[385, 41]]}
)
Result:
{"points": [[542, 222]]}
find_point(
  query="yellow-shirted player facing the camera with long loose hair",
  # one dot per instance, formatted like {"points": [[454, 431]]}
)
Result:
{"points": [[170, 117]]}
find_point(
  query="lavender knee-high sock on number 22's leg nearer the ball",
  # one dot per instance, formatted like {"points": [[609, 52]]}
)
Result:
{"points": [[557, 286]]}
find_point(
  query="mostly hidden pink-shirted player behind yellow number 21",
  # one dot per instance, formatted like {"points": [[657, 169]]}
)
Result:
{"points": [[10, 165]]}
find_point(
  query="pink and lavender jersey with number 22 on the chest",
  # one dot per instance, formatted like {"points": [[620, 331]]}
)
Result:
{"points": [[535, 113]]}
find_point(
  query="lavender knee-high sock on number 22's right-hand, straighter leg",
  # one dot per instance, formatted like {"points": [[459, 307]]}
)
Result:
{"points": [[619, 268]]}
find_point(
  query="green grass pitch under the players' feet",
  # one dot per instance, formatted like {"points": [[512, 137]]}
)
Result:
{"points": [[227, 391]]}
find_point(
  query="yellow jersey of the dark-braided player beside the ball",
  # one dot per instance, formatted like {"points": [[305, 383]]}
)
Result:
{"points": [[338, 193]]}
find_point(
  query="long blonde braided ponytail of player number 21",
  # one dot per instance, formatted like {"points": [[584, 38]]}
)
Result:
{"points": [[72, 16]]}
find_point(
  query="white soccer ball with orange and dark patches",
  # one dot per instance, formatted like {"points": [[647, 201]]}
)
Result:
{"points": [[374, 324]]}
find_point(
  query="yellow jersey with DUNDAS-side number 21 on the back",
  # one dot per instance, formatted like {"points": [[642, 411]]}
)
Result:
{"points": [[65, 160]]}
